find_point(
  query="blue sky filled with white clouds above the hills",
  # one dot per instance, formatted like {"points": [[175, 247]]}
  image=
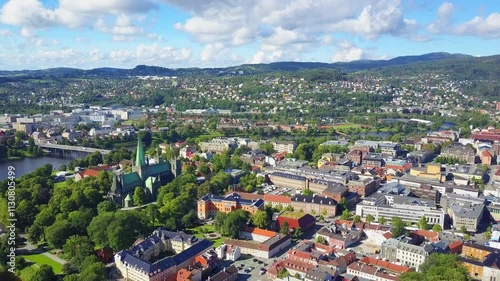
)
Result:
{"points": [[38, 34]]}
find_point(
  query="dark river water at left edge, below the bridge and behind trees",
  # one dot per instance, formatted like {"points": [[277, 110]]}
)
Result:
{"points": [[27, 165]]}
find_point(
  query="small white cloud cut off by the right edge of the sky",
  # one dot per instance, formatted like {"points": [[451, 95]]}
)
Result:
{"points": [[488, 27]]}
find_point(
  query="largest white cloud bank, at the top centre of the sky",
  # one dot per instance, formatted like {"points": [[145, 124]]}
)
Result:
{"points": [[241, 21]]}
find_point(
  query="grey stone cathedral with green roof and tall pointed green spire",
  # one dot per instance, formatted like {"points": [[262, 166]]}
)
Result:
{"points": [[150, 177]]}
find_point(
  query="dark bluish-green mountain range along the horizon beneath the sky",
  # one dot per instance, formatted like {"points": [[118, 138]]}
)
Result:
{"points": [[143, 70]]}
